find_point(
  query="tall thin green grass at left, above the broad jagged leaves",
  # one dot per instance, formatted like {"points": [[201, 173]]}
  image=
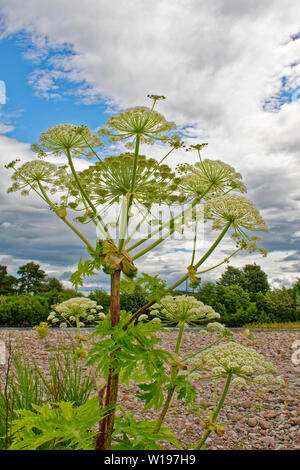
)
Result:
{"points": [[25, 385]]}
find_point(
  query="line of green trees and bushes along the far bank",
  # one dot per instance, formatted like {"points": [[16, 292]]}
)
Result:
{"points": [[241, 296]]}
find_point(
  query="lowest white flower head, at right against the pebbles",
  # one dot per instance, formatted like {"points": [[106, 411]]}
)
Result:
{"points": [[242, 362]]}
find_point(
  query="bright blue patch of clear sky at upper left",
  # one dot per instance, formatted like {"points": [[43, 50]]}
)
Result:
{"points": [[30, 114]]}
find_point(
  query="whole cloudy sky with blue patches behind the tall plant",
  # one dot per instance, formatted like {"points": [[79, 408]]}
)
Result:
{"points": [[230, 70]]}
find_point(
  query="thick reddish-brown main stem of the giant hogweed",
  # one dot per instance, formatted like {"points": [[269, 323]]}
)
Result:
{"points": [[103, 441]]}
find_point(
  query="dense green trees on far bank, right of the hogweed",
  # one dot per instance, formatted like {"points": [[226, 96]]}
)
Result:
{"points": [[244, 296]]}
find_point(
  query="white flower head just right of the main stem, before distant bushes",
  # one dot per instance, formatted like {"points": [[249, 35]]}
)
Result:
{"points": [[183, 310]]}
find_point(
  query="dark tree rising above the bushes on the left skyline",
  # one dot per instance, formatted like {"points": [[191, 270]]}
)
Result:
{"points": [[31, 278]]}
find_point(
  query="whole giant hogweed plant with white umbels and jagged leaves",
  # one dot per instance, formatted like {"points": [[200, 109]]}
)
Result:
{"points": [[125, 346]]}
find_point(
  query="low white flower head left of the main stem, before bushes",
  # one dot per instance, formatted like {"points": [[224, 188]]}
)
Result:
{"points": [[76, 312]]}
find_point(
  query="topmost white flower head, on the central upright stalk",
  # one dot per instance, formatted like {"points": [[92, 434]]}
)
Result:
{"points": [[140, 121]]}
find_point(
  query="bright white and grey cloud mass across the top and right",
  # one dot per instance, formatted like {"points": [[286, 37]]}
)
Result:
{"points": [[217, 63]]}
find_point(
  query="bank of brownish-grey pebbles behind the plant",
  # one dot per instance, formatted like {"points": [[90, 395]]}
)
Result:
{"points": [[275, 426]]}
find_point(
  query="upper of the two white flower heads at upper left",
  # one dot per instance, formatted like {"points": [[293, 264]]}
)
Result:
{"points": [[64, 138]]}
